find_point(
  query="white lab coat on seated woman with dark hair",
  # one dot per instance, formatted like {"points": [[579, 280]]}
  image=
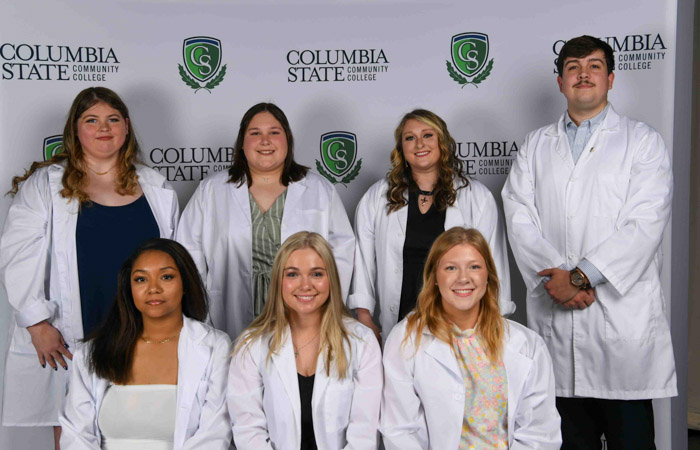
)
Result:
{"points": [[201, 418]]}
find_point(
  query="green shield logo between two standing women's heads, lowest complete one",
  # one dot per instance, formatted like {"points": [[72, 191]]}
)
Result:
{"points": [[338, 155]]}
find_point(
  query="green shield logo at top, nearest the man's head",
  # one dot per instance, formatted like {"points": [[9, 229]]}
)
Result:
{"points": [[470, 51]]}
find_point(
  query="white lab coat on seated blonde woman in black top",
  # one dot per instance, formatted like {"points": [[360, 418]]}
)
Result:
{"points": [[264, 404]]}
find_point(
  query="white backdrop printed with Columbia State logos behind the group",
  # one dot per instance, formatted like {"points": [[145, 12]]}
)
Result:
{"points": [[303, 56]]}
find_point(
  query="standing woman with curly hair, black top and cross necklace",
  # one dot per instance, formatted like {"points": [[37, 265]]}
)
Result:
{"points": [[399, 217]]}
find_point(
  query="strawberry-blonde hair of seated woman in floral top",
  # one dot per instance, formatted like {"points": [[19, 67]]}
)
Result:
{"points": [[429, 311]]}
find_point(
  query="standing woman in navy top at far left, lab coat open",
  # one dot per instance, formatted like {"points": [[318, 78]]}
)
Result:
{"points": [[73, 220]]}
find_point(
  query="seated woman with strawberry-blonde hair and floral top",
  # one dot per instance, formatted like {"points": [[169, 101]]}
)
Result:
{"points": [[459, 375]]}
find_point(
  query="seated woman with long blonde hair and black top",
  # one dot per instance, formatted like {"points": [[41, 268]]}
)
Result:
{"points": [[305, 374]]}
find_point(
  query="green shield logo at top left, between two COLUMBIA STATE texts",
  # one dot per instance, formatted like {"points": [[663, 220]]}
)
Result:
{"points": [[202, 63]]}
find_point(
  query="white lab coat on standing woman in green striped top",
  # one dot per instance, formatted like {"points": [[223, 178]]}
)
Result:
{"points": [[216, 228]]}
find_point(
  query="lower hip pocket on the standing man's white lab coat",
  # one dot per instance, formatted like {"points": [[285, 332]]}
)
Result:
{"points": [[632, 316]]}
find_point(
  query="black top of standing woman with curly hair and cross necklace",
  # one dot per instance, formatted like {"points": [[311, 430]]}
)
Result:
{"points": [[421, 232]]}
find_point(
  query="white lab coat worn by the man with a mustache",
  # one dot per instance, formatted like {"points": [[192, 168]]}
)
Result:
{"points": [[610, 208]]}
